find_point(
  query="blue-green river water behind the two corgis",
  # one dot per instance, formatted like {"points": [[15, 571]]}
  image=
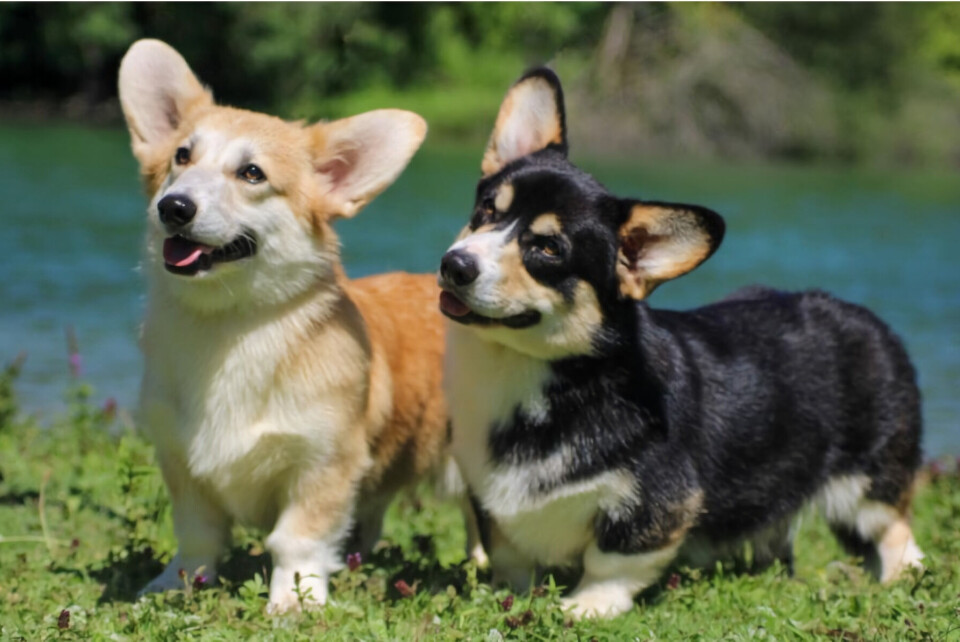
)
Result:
{"points": [[72, 219]]}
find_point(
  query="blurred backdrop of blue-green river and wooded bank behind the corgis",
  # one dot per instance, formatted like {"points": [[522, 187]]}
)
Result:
{"points": [[828, 135]]}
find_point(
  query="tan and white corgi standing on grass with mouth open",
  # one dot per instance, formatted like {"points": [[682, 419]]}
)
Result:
{"points": [[278, 394]]}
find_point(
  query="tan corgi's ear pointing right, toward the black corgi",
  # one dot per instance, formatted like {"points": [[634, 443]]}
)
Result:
{"points": [[356, 158]]}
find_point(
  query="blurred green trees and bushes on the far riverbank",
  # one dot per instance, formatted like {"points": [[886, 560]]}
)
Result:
{"points": [[836, 81]]}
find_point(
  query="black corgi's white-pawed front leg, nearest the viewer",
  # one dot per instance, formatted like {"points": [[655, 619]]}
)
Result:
{"points": [[611, 580]]}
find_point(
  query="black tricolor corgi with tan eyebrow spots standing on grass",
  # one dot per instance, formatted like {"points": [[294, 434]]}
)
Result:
{"points": [[597, 432]]}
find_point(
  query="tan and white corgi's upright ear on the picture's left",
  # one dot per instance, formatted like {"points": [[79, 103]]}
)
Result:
{"points": [[157, 92]]}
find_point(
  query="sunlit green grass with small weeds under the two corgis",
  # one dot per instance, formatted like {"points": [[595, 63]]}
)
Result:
{"points": [[84, 522]]}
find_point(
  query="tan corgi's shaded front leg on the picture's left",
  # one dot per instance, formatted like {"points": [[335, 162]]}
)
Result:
{"points": [[201, 528]]}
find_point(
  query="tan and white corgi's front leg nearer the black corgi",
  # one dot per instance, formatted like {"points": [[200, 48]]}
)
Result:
{"points": [[306, 543]]}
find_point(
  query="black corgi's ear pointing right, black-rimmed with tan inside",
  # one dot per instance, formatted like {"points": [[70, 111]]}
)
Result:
{"points": [[661, 241]]}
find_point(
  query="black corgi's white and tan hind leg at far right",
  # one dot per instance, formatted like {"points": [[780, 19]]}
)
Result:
{"points": [[876, 530]]}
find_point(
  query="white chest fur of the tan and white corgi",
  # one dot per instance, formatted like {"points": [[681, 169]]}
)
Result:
{"points": [[213, 399]]}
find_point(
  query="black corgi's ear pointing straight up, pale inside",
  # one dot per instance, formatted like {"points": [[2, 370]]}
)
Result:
{"points": [[531, 118]]}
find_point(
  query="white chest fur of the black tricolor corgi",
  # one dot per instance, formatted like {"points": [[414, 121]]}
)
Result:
{"points": [[548, 521]]}
